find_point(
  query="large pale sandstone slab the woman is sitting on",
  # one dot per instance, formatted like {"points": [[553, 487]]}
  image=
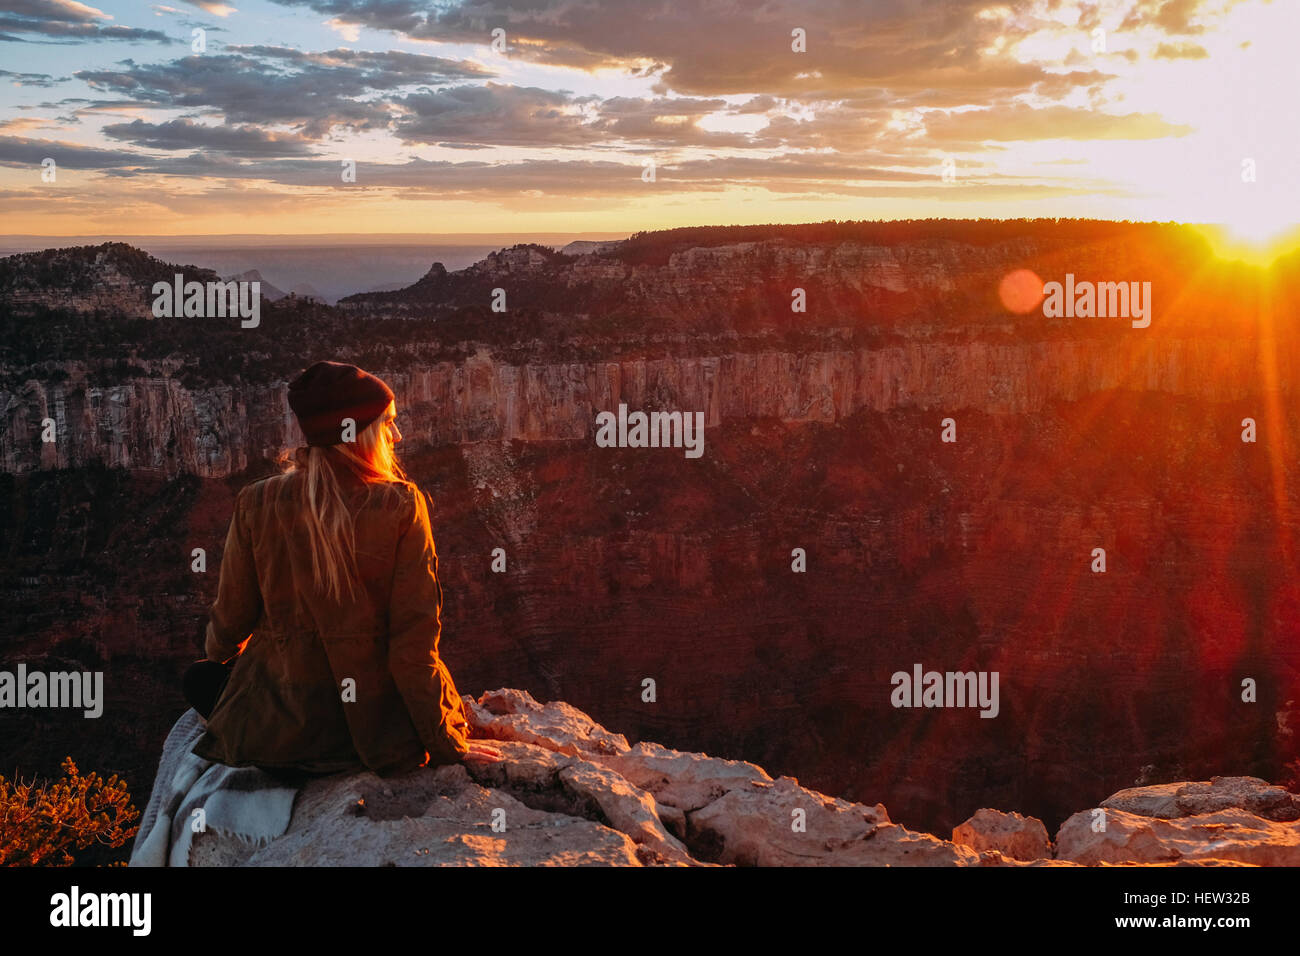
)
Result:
{"points": [[573, 794]]}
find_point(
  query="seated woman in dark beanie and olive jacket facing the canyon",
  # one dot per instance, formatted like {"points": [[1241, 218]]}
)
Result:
{"points": [[323, 643]]}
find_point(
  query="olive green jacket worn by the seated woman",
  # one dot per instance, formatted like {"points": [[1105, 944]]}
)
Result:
{"points": [[322, 685]]}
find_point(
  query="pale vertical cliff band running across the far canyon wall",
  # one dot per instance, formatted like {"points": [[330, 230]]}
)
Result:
{"points": [[159, 426]]}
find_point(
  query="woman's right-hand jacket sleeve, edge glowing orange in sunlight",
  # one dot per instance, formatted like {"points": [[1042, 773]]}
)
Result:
{"points": [[415, 626]]}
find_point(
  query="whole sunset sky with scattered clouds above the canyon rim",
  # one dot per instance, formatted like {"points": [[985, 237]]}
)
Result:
{"points": [[452, 137]]}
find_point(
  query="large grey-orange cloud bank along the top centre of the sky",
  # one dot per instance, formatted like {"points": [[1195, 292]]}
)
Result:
{"points": [[714, 47]]}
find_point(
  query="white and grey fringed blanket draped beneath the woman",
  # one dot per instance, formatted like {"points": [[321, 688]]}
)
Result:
{"points": [[246, 803]]}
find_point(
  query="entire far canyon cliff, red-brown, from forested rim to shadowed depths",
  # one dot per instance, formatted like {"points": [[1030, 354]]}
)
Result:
{"points": [[824, 432]]}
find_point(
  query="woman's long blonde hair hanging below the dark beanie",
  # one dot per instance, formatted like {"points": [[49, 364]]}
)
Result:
{"points": [[326, 514]]}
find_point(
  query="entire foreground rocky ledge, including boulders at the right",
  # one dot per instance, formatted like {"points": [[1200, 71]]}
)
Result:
{"points": [[569, 793]]}
